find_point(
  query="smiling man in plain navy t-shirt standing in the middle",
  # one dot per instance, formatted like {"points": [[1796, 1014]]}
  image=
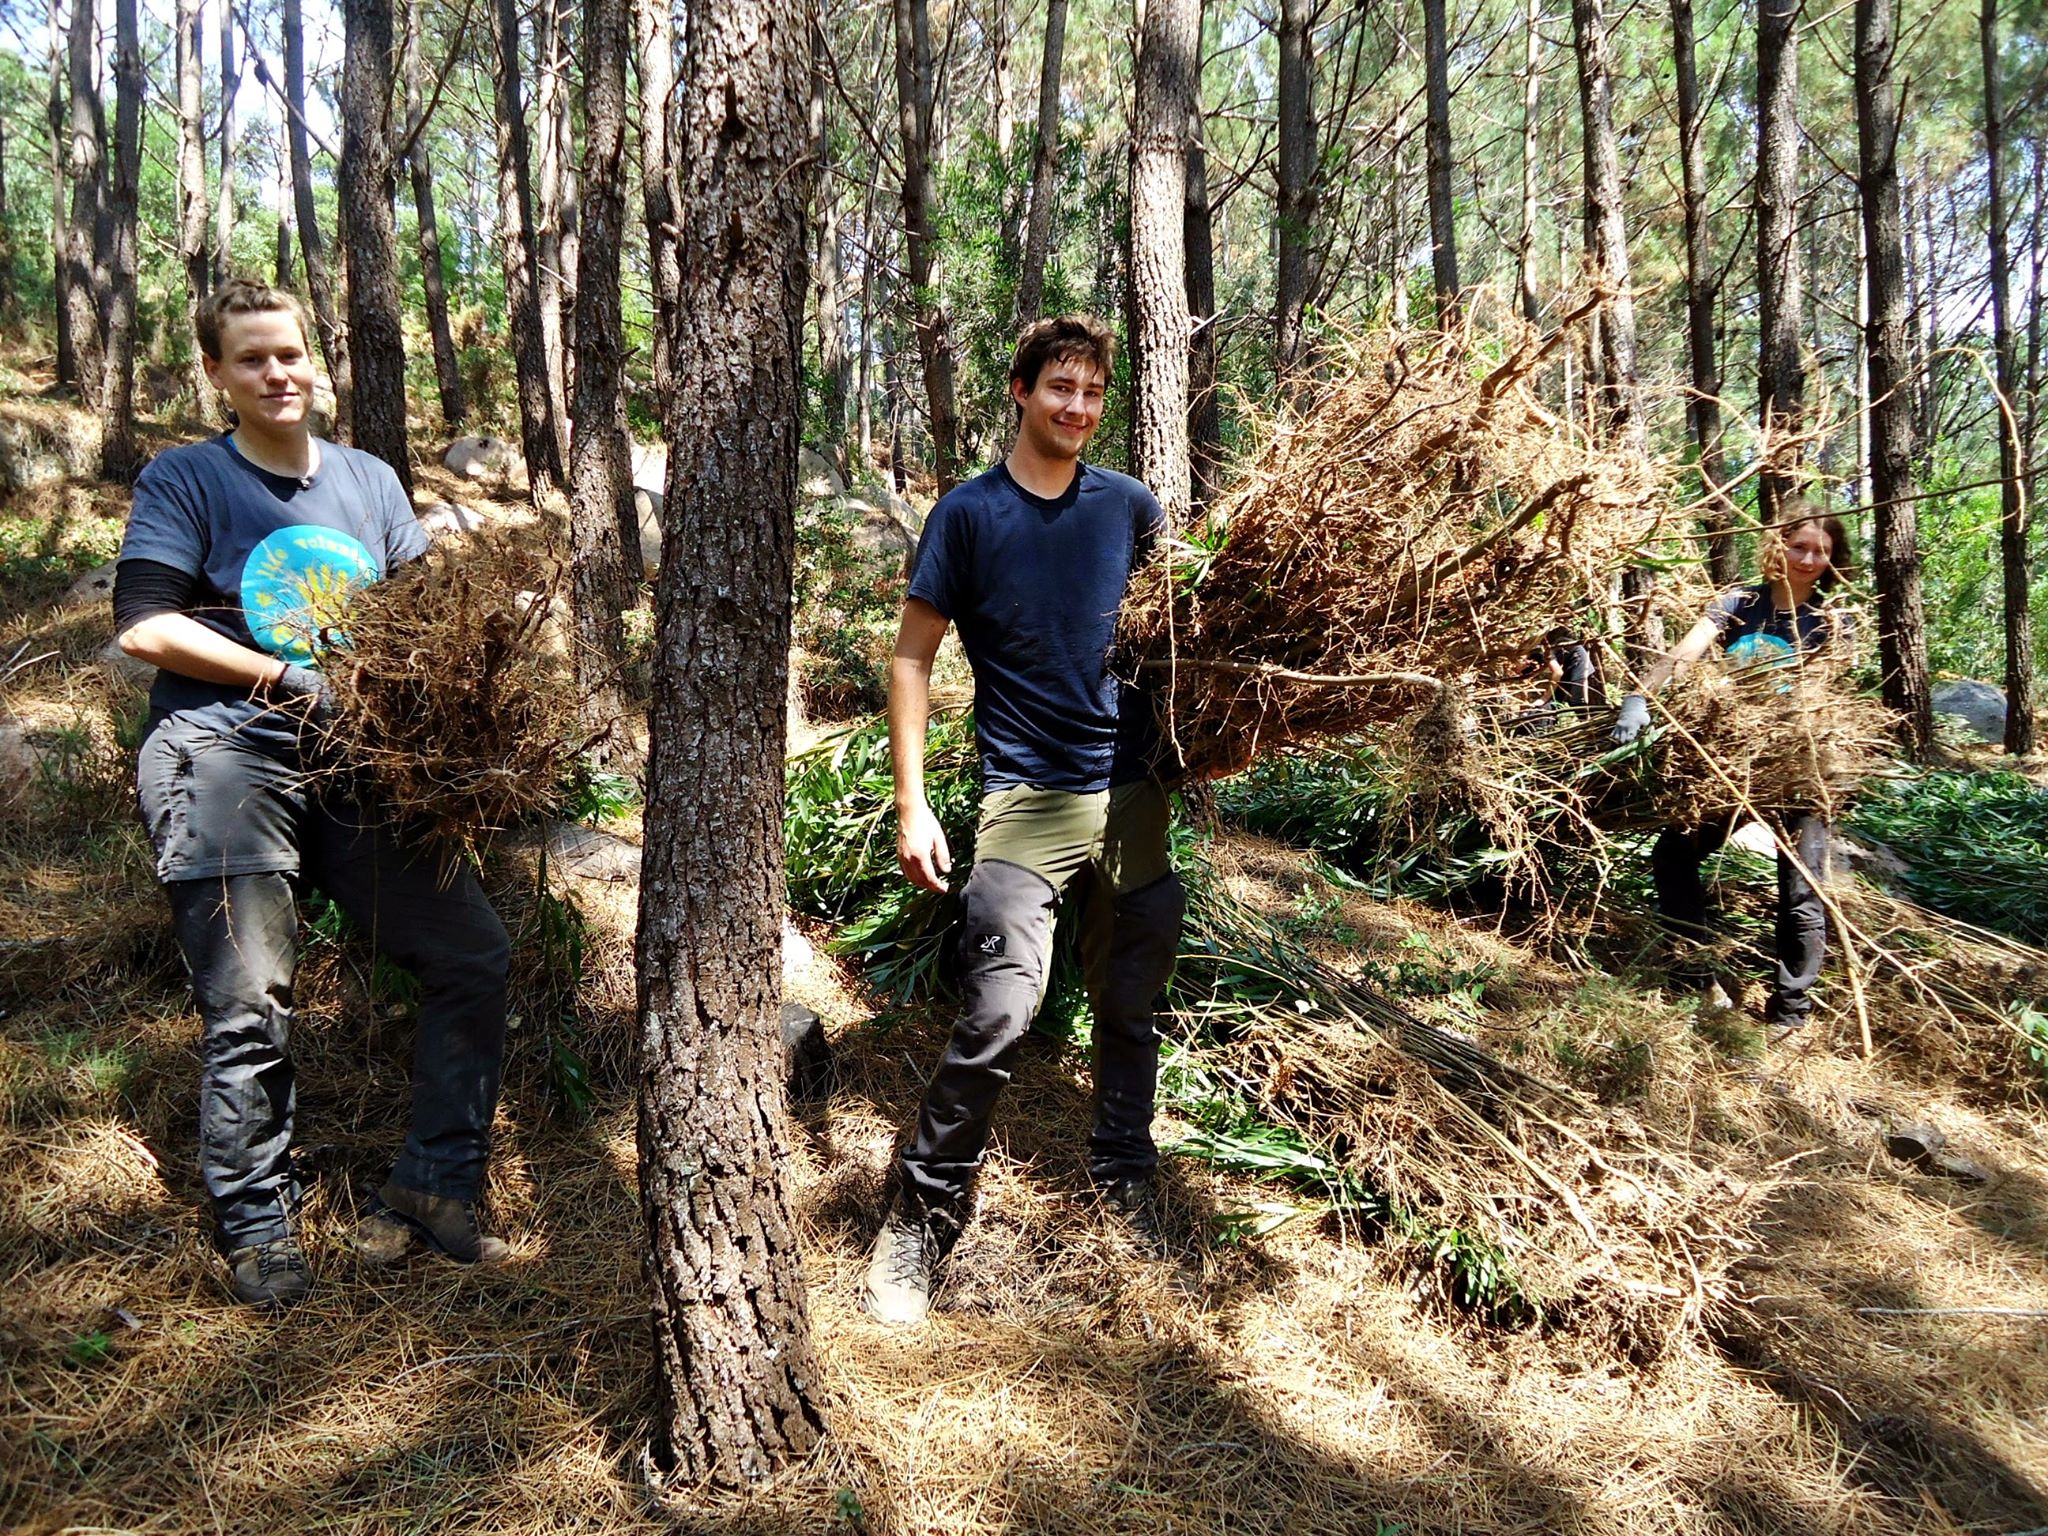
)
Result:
{"points": [[1031, 562]]}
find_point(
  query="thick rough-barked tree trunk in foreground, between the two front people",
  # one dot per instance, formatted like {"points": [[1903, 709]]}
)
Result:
{"points": [[740, 1390]]}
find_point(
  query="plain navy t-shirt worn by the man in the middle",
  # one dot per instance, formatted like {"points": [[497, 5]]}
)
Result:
{"points": [[1033, 587]]}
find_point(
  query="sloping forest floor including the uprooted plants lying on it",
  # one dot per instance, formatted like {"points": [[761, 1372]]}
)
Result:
{"points": [[1308, 1347]]}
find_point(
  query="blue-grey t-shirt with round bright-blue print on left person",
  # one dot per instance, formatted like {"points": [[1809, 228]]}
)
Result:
{"points": [[275, 558]]}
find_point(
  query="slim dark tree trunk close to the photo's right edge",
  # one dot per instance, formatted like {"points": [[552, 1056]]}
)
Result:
{"points": [[2012, 445]]}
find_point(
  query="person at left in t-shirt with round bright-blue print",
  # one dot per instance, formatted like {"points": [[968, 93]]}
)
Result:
{"points": [[234, 581]]}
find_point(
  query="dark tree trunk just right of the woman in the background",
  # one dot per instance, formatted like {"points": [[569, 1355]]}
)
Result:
{"points": [[1902, 626]]}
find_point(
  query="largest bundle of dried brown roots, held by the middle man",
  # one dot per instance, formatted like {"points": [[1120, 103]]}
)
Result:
{"points": [[1422, 521]]}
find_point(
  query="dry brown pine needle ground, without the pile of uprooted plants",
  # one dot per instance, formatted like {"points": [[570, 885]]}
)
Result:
{"points": [[1078, 1377]]}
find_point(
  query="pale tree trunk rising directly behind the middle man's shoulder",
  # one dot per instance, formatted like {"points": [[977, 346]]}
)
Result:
{"points": [[1162, 105]]}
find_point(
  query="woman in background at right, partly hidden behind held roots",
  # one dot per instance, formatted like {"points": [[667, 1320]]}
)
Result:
{"points": [[1770, 624]]}
